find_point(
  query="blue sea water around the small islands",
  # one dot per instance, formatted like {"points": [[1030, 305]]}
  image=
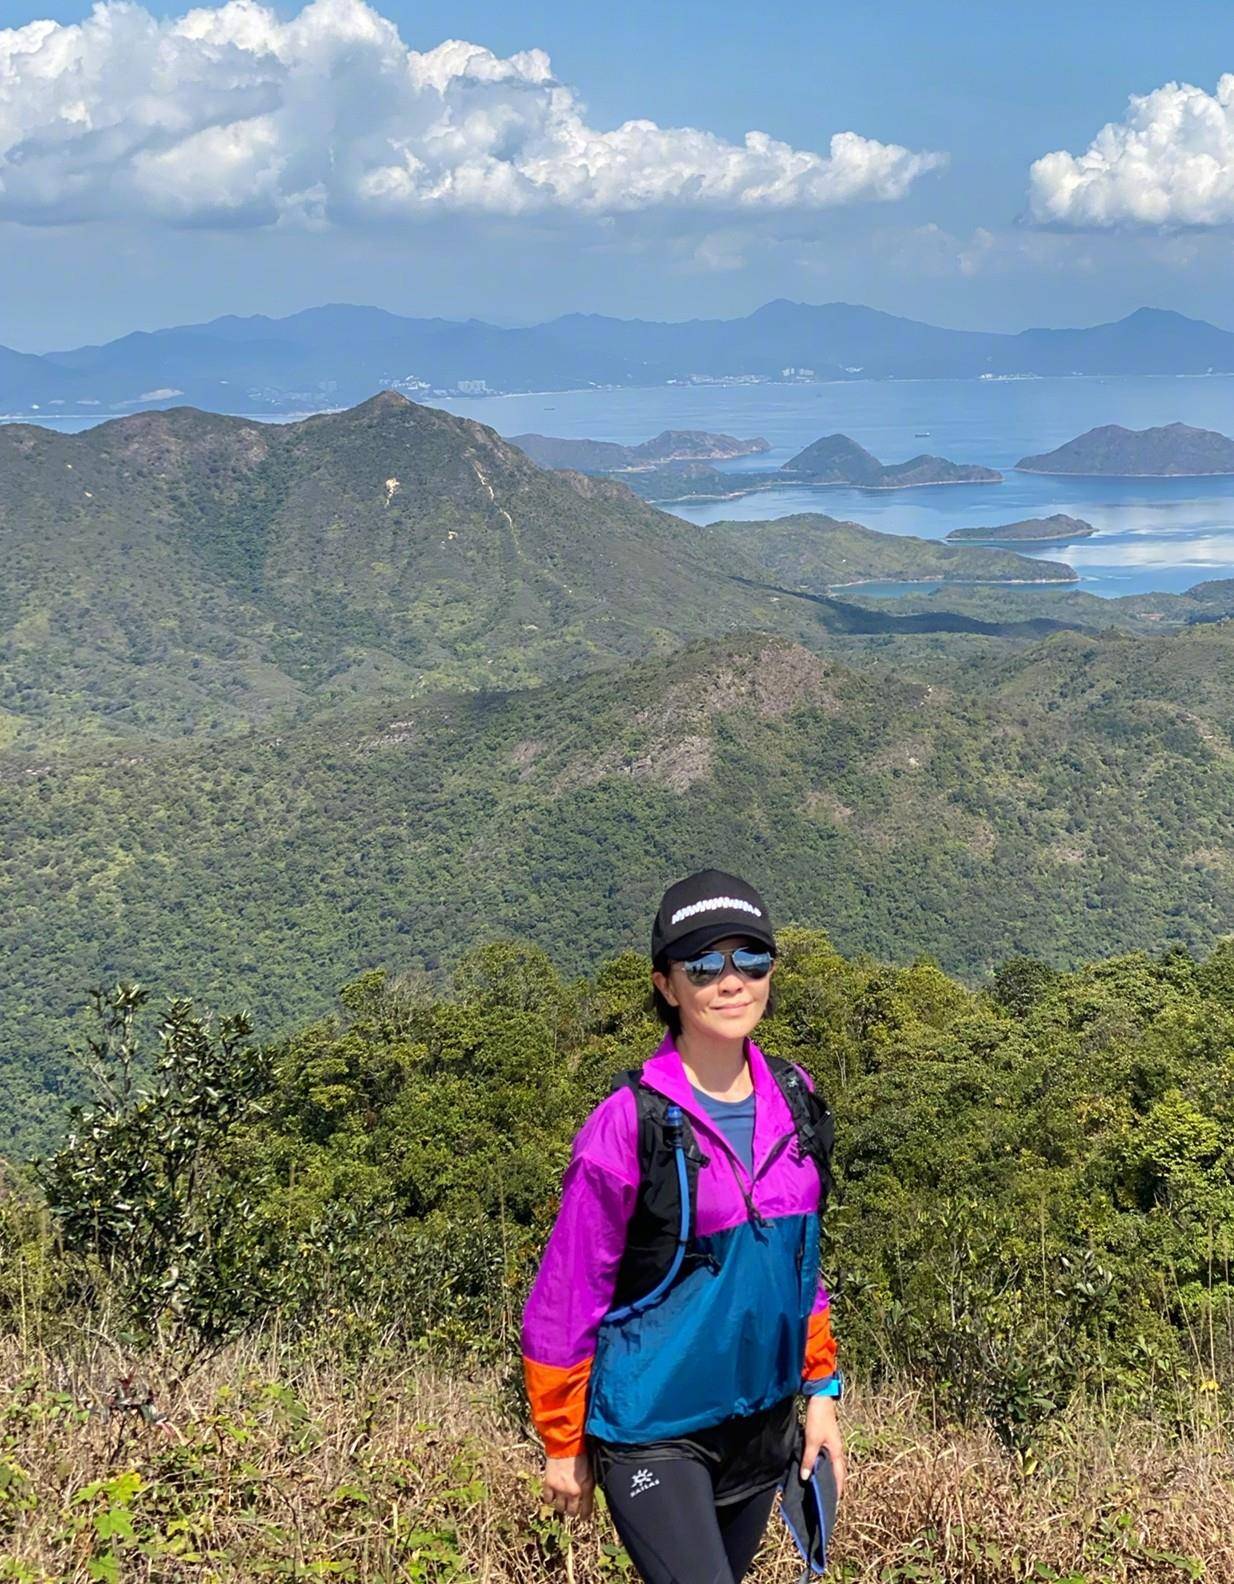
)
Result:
{"points": [[1152, 535]]}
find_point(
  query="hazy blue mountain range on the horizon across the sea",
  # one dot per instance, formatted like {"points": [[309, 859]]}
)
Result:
{"points": [[337, 356]]}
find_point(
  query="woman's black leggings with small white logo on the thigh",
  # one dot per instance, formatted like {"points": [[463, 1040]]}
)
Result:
{"points": [[668, 1520]]}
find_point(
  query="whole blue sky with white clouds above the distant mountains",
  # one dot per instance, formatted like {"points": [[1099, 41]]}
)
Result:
{"points": [[965, 164]]}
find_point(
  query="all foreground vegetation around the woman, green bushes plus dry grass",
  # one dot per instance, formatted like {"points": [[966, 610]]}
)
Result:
{"points": [[261, 1308]]}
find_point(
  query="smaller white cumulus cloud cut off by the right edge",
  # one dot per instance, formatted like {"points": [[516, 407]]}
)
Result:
{"points": [[1168, 164]]}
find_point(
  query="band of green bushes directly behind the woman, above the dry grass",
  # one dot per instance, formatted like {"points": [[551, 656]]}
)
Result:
{"points": [[1037, 1181]]}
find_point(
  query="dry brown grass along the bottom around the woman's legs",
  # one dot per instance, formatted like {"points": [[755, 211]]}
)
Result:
{"points": [[389, 1471]]}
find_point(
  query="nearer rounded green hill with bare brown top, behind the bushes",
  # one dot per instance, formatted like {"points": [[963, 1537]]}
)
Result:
{"points": [[1072, 798]]}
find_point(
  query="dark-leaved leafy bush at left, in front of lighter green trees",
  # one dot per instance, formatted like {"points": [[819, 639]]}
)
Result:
{"points": [[142, 1190]]}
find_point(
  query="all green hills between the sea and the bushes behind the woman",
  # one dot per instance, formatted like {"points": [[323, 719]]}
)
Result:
{"points": [[229, 760]]}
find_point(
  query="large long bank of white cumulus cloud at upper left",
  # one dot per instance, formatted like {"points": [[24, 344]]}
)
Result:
{"points": [[230, 116]]}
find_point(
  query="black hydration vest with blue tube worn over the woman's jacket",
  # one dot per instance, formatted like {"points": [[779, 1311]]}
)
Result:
{"points": [[660, 1239]]}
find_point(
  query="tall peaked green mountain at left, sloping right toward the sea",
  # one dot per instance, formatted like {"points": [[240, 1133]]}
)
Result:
{"points": [[183, 574]]}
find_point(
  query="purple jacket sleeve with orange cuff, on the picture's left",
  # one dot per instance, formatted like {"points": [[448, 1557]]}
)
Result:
{"points": [[574, 1287]]}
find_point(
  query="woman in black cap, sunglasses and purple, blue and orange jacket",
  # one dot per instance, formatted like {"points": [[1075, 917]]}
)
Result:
{"points": [[685, 1411]]}
